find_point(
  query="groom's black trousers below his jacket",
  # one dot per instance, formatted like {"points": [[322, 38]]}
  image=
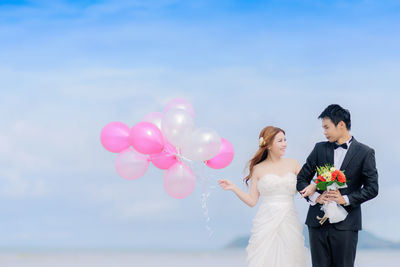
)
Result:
{"points": [[331, 247]]}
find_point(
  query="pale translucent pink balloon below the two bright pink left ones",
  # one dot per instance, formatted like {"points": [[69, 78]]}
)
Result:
{"points": [[131, 165]]}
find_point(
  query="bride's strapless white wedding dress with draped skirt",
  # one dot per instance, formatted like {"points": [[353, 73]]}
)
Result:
{"points": [[276, 238]]}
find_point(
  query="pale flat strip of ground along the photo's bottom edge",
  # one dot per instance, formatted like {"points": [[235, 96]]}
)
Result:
{"points": [[229, 258]]}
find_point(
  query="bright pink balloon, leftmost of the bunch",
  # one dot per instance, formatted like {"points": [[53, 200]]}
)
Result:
{"points": [[115, 137]]}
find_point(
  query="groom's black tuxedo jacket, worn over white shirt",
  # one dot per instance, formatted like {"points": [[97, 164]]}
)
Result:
{"points": [[362, 185]]}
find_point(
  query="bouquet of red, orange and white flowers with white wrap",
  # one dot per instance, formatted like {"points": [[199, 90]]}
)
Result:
{"points": [[329, 178]]}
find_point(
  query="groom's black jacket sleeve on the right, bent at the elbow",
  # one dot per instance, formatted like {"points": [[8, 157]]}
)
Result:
{"points": [[370, 187]]}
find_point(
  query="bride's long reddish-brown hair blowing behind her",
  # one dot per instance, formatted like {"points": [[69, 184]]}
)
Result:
{"points": [[266, 138]]}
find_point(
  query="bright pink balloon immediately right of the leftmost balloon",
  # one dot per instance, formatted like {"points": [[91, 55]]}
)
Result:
{"points": [[147, 138]]}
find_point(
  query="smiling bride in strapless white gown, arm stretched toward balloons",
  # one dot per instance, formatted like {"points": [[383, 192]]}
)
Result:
{"points": [[276, 237]]}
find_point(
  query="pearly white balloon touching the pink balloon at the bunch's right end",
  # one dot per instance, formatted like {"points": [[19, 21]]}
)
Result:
{"points": [[203, 144]]}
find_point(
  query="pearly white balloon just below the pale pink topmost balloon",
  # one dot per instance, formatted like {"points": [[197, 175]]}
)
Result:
{"points": [[176, 125]]}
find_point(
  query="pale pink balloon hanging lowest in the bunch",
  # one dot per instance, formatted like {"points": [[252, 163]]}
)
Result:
{"points": [[179, 181]]}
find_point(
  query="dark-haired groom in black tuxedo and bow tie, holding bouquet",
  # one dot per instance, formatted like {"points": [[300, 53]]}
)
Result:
{"points": [[335, 244]]}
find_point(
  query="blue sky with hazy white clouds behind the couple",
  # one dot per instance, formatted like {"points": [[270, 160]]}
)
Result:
{"points": [[67, 68]]}
